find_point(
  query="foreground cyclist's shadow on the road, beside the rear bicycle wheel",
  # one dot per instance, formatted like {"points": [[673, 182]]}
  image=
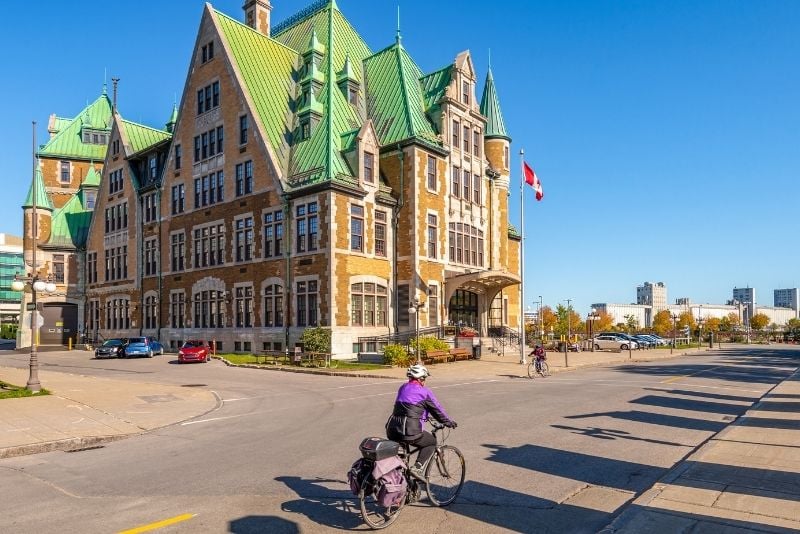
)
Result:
{"points": [[333, 508]]}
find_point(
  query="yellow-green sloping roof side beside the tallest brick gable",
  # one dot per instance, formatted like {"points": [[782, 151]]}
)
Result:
{"points": [[266, 67]]}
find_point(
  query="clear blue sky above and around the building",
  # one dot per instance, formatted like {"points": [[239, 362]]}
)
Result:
{"points": [[665, 133]]}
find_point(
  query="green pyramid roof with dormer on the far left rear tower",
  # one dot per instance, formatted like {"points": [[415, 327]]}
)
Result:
{"points": [[68, 142]]}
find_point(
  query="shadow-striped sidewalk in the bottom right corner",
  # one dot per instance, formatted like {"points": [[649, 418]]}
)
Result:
{"points": [[745, 479]]}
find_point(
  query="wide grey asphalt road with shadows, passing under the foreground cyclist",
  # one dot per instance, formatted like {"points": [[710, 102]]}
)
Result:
{"points": [[557, 455]]}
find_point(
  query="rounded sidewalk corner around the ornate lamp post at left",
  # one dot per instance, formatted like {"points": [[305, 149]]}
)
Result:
{"points": [[83, 411]]}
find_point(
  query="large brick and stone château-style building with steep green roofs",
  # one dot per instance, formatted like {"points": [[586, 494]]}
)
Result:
{"points": [[310, 181]]}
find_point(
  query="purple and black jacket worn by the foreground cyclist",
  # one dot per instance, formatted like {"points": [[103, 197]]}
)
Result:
{"points": [[414, 405]]}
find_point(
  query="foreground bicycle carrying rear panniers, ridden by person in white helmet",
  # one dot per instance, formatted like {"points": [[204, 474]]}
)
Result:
{"points": [[444, 478]]}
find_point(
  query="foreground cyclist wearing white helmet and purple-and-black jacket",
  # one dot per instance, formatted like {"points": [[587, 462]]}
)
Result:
{"points": [[413, 406]]}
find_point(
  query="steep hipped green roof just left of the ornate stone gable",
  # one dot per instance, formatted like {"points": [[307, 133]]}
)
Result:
{"points": [[394, 97]]}
